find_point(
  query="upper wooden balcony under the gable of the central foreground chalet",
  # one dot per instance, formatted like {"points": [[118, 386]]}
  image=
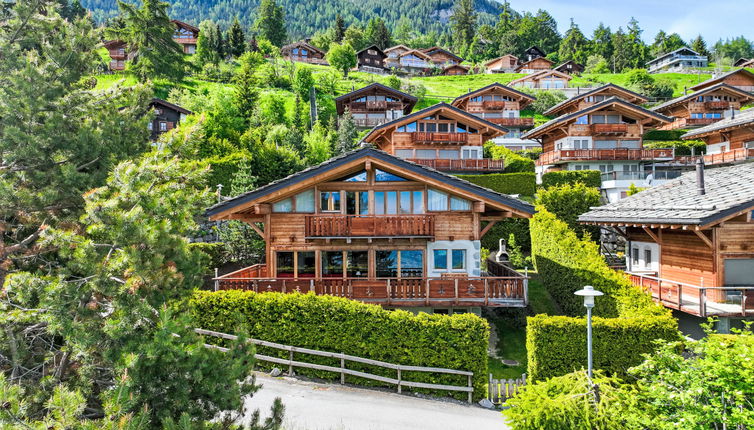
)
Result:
{"points": [[348, 226]]}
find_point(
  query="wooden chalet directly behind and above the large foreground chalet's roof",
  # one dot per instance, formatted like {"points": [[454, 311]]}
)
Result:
{"points": [[442, 137]]}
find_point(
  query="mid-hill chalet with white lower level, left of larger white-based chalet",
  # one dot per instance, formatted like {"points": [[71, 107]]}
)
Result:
{"points": [[500, 105]]}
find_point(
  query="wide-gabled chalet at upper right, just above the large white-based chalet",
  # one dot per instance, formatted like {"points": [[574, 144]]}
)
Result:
{"points": [[704, 107]]}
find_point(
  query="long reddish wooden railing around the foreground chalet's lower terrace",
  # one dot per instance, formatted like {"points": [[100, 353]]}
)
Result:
{"points": [[509, 291]]}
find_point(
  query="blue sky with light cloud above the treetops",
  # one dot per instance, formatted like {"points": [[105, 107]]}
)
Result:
{"points": [[713, 19]]}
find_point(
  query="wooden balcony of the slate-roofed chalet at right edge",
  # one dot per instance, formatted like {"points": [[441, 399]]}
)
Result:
{"points": [[697, 299]]}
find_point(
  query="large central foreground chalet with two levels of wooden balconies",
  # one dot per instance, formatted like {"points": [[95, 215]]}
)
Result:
{"points": [[372, 227]]}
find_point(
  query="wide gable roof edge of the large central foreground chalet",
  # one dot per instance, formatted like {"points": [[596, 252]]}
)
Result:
{"points": [[333, 166]]}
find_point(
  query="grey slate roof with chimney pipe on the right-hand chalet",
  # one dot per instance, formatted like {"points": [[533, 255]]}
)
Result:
{"points": [[728, 191]]}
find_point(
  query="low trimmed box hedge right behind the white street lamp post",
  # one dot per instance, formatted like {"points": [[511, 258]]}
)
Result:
{"points": [[556, 345]]}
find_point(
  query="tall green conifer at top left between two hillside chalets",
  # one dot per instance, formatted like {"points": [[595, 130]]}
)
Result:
{"points": [[148, 33]]}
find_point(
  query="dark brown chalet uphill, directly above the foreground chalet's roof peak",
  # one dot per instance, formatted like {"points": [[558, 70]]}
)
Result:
{"points": [[375, 104]]}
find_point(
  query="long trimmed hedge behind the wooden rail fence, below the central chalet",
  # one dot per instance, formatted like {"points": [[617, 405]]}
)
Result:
{"points": [[336, 324]]}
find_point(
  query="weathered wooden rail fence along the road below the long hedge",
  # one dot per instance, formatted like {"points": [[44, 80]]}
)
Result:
{"points": [[343, 370]]}
